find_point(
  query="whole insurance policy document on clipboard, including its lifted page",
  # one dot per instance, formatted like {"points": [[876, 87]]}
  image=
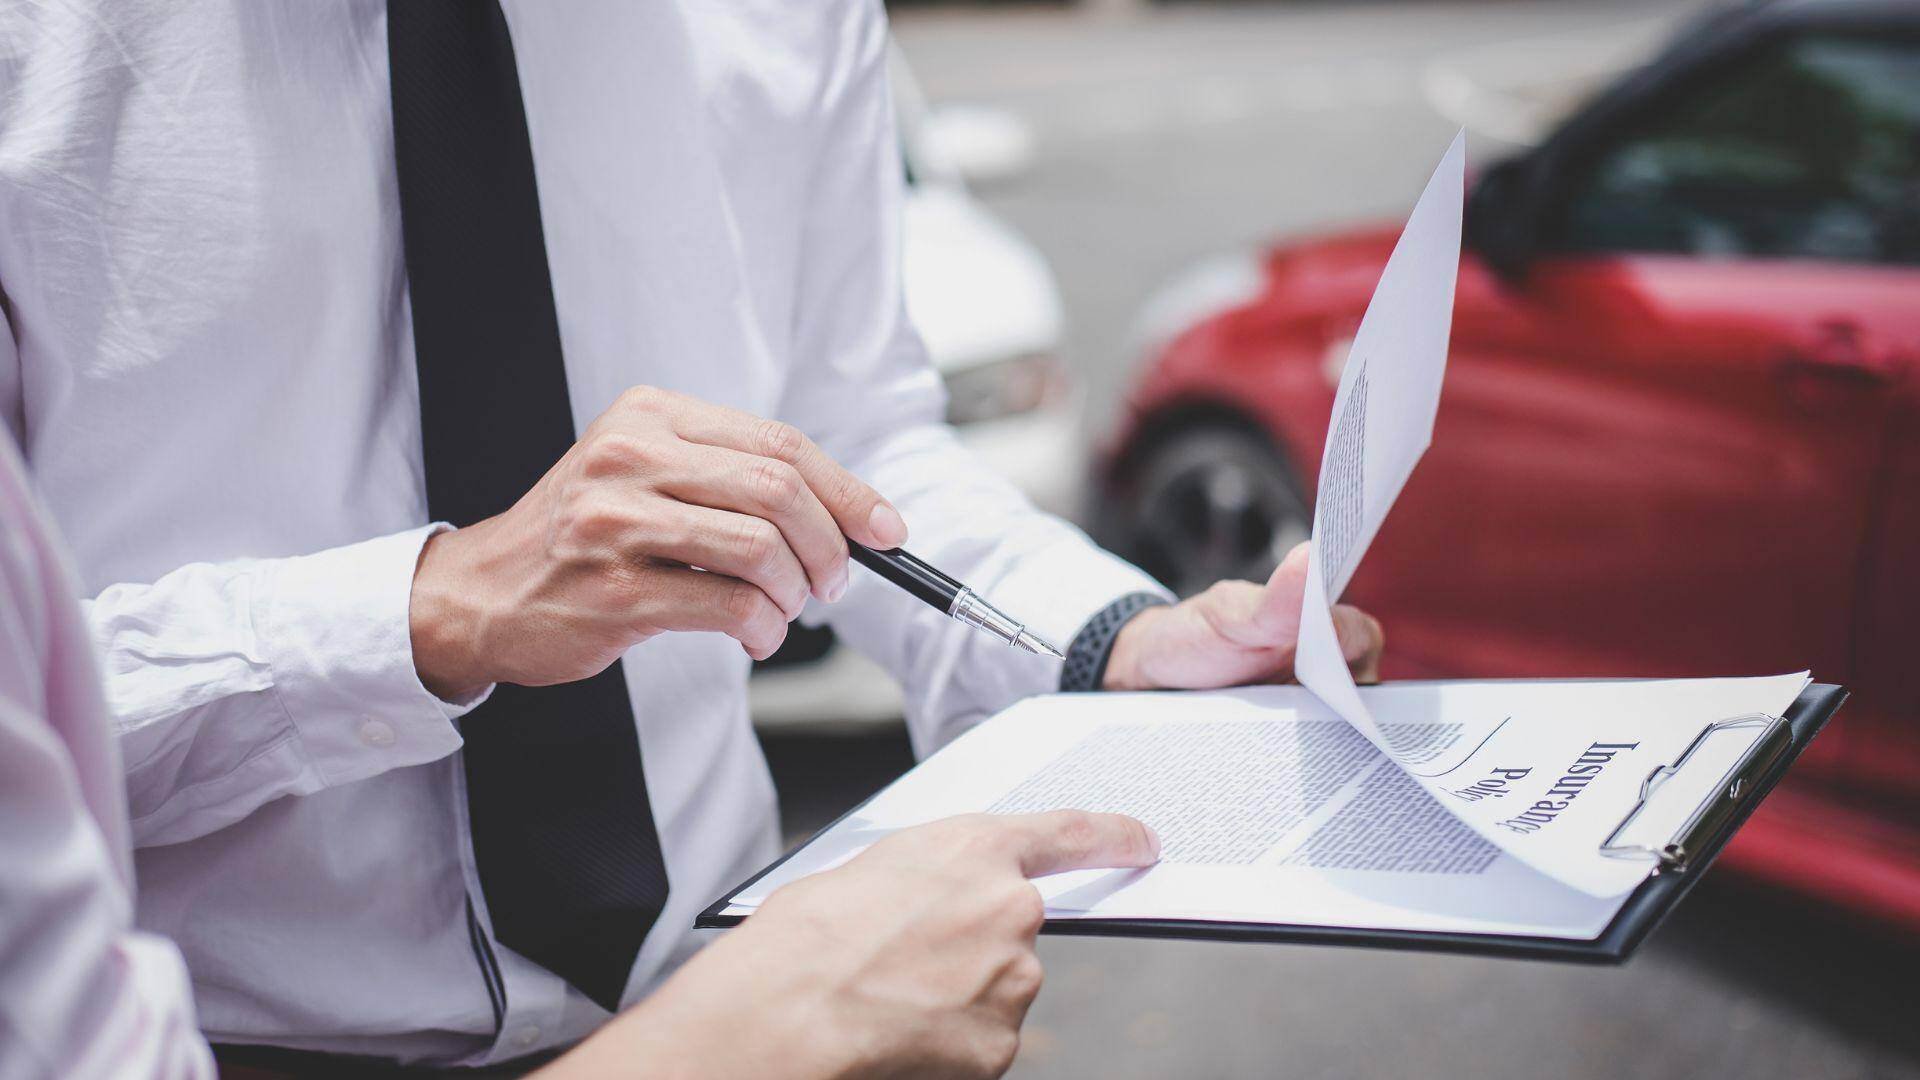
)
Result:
{"points": [[1477, 808]]}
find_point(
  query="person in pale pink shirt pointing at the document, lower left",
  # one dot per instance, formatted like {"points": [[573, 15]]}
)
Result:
{"points": [[942, 916]]}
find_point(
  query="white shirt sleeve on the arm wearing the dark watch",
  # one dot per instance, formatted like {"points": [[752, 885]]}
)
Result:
{"points": [[865, 389]]}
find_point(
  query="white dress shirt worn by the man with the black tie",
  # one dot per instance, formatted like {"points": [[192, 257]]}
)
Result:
{"points": [[210, 364]]}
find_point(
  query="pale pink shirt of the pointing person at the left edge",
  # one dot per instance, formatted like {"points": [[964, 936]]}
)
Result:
{"points": [[82, 993]]}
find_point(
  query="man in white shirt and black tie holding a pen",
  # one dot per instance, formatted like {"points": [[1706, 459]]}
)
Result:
{"points": [[289, 293]]}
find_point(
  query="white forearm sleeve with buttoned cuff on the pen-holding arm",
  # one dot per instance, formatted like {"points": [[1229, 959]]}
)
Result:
{"points": [[241, 683]]}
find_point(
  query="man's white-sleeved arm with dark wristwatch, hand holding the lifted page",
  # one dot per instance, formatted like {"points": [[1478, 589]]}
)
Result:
{"points": [[863, 387]]}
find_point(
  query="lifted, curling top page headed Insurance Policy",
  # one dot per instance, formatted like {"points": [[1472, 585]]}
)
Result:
{"points": [[1577, 752]]}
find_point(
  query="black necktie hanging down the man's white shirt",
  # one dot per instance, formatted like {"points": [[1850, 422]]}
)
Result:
{"points": [[564, 837]]}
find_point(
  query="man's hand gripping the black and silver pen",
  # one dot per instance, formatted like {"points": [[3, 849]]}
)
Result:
{"points": [[669, 514]]}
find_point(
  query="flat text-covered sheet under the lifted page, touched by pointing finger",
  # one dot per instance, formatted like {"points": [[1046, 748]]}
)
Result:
{"points": [[1270, 808]]}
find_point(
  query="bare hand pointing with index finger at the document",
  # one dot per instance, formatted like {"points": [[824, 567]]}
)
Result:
{"points": [[913, 960]]}
